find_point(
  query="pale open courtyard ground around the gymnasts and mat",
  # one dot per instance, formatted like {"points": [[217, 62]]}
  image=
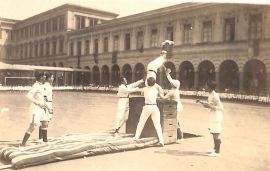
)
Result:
{"points": [[245, 137]]}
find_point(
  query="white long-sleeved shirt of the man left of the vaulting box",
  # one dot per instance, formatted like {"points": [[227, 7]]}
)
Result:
{"points": [[124, 90]]}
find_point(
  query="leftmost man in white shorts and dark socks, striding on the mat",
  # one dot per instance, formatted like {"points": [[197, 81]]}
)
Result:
{"points": [[36, 111]]}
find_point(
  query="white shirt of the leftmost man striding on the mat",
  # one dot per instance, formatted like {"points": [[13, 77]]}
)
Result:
{"points": [[36, 93]]}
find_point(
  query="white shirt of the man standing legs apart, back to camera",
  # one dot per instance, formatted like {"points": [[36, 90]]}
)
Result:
{"points": [[151, 93]]}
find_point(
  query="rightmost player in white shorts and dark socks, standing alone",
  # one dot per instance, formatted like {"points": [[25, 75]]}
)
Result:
{"points": [[215, 115]]}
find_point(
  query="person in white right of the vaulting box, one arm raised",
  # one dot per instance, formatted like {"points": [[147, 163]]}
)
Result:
{"points": [[174, 95]]}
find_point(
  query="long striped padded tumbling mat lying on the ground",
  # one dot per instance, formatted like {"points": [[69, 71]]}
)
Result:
{"points": [[69, 147]]}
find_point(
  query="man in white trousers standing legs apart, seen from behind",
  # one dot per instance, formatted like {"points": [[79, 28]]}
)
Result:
{"points": [[151, 93]]}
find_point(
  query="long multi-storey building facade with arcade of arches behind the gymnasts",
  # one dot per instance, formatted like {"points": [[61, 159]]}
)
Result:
{"points": [[228, 43]]}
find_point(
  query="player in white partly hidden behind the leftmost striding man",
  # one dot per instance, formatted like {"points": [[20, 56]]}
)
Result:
{"points": [[48, 100]]}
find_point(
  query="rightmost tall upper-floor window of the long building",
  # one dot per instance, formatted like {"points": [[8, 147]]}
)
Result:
{"points": [[256, 26]]}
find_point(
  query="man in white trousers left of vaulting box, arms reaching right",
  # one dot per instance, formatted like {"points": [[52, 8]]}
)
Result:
{"points": [[123, 102]]}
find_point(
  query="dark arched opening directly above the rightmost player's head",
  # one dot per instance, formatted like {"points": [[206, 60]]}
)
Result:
{"points": [[206, 72]]}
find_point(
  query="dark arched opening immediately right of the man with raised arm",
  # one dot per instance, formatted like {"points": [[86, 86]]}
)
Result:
{"points": [[186, 75]]}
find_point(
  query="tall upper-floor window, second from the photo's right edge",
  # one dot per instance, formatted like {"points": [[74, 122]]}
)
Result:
{"points": [[229, 29]]}
